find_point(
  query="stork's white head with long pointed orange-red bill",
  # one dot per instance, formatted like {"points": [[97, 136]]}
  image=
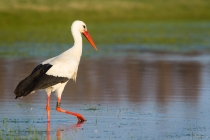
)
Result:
{"points": [[81, 26]]}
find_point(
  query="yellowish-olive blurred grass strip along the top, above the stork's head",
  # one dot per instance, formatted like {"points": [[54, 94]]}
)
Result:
{"points": [[105, 11]]}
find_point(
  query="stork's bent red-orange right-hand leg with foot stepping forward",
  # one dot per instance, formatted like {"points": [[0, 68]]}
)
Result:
{"points": [[59, 109]]}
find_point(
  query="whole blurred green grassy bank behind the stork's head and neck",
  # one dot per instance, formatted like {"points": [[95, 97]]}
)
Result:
{"points": [[136, 22]]}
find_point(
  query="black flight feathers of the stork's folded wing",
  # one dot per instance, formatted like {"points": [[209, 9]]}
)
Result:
{"points": [[38, 79]]}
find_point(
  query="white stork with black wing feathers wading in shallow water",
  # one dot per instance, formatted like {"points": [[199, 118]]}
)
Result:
{"points": [[54, 73]]}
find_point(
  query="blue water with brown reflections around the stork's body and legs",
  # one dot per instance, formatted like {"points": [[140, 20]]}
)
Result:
{"points": [[149, 96]]}
